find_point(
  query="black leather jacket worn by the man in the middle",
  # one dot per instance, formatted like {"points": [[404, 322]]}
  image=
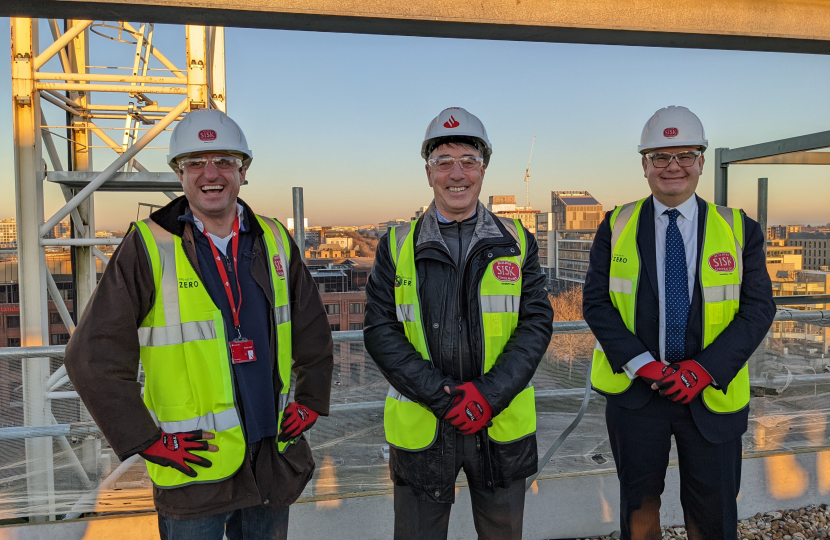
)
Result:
{"points": [[445, 289]]}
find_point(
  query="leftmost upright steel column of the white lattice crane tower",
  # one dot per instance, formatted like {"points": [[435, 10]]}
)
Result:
{"points": [[40, 482]]}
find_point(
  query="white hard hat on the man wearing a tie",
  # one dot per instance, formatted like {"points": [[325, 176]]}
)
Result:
{"points": [[673, 126]]}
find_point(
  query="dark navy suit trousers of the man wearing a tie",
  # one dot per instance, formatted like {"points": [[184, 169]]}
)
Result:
{"points": [[710, 474]]}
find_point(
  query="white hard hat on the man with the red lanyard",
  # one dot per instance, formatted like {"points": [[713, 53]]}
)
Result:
{"points": [[207, 130]]}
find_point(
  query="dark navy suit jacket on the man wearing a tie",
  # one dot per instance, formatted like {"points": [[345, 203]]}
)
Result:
{"points": [[722, 359]]}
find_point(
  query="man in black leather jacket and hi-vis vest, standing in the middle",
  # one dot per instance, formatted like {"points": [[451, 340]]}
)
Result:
{"points": [[457, 319]]}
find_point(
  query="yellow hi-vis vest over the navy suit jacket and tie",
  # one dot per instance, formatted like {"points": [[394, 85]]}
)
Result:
{"points": [[720, 270]]}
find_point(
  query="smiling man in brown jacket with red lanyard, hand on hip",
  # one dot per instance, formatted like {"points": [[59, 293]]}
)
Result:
{"points": [[216, 302]]}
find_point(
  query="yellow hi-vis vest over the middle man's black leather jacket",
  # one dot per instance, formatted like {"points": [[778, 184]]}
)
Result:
{"points": [[412, 426]]}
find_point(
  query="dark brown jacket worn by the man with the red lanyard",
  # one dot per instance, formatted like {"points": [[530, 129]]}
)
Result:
{"points": [[102, 362]]}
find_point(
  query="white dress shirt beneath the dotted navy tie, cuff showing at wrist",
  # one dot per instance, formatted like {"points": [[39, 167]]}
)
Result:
{"points": [[687, 223]]}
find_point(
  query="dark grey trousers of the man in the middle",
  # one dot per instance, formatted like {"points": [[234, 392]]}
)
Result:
{"points": [[497, 515]]}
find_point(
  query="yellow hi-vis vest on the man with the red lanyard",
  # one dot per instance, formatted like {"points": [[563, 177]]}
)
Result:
{"points": [[185, 353]]}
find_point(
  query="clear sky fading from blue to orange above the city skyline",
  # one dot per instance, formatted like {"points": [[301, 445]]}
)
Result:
{"points": [[343, 116]]}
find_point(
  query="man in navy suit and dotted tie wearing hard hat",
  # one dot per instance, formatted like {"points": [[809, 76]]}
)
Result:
{"points": [[678, 297]]}
